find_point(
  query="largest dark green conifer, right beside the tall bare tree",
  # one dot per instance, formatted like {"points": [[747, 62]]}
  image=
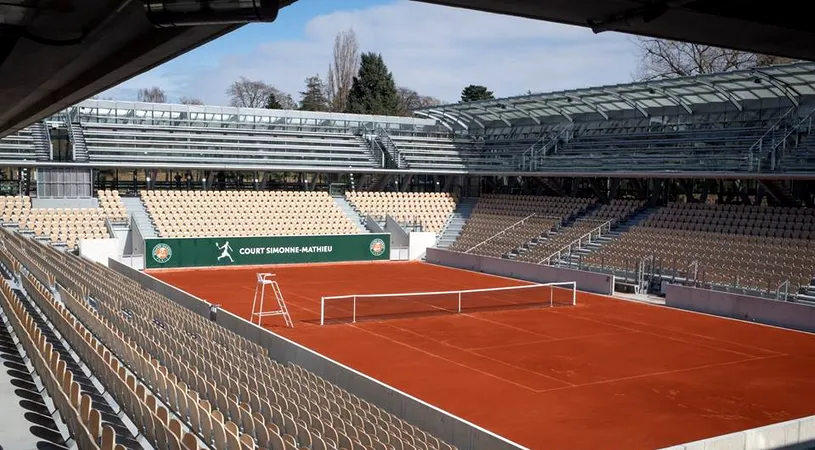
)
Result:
{"points": [[373, 90]]}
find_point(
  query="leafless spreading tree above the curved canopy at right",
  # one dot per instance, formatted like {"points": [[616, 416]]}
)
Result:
{"points": [[661, 58]]}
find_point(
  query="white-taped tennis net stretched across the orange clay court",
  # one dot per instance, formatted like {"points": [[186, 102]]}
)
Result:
{"points": [[354, 307]]}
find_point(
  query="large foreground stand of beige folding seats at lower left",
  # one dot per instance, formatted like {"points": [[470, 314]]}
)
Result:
{"points": [[183, 381]]}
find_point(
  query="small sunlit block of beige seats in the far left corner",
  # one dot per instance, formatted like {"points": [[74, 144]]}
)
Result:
{"points": [[62, 225]]}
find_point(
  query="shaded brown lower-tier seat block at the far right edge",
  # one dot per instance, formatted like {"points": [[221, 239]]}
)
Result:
{"points": [[752, 246]]}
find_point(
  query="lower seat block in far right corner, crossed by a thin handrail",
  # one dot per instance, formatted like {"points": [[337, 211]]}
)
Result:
{"points": [[500, 223]]}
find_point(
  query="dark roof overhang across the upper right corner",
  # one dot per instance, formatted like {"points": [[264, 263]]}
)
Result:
{"points": [[775, 28]]}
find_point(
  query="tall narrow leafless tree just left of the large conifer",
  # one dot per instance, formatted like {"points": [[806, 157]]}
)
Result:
{"points": [[342, 70]]}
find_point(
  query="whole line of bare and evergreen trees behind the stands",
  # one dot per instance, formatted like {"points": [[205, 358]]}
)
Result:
{"points": [[361, 83]]}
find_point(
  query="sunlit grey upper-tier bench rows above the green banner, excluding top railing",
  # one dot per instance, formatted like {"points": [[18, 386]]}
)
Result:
{"points": [[112, 142]]}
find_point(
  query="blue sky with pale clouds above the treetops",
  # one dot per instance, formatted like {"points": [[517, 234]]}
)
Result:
{"points": [[434, 50]]}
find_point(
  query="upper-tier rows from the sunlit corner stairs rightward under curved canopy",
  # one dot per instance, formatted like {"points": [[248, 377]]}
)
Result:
{"points": [[707, 142]]}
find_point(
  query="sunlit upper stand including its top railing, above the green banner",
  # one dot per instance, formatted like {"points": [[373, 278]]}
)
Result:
{"points": [[118, 132]]}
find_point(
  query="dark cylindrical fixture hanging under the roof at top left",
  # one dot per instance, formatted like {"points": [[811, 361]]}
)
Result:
{"points": [[175, 13]]}
